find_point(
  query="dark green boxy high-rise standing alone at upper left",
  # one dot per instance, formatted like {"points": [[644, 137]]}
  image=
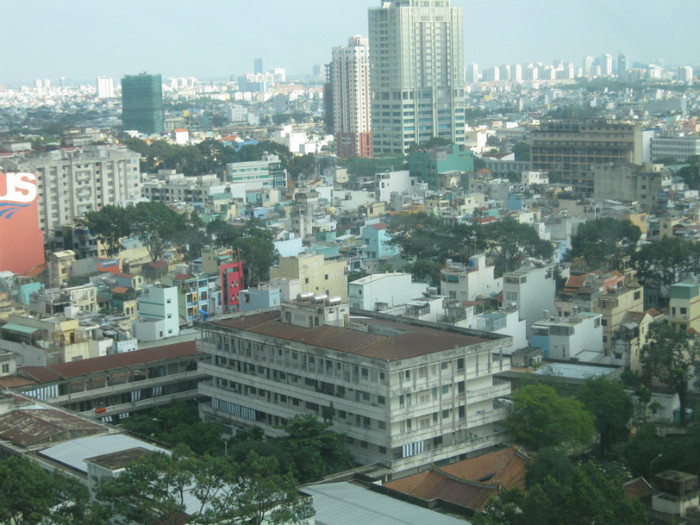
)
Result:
{"points": [[142, 103]]}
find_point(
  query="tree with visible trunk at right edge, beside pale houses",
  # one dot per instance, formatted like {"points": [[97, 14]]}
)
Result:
{"points": [[672, 356]]}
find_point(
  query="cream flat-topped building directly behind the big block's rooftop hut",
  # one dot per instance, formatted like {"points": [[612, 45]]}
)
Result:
{"points": [[314, 274]]}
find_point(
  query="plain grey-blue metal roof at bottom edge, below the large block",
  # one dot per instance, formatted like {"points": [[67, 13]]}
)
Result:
{"points": [[347, 504]]}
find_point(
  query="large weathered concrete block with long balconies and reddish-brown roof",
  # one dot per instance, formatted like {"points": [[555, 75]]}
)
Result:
{"points": [[403, 392]]}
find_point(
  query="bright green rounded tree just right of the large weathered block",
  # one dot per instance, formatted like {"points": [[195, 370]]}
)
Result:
{"points": [[540, 418]]}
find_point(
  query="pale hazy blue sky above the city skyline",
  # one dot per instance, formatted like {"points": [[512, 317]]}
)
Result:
{"points": [[83, 39]]}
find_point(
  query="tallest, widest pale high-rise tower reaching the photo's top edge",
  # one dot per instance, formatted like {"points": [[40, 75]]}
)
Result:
{"points": [[417, 73]]}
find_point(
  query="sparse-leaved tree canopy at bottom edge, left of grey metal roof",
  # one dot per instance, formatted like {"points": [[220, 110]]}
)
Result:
{"points": [[160, 488]]}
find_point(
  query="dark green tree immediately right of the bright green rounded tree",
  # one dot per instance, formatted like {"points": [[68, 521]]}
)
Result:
{"points": [[612, 409]]}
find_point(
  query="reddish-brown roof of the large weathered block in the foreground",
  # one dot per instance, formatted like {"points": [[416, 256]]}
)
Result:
{"points": [[411, 341]]}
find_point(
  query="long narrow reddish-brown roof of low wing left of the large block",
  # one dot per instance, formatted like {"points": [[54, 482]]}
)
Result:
{"points": [[47, 374]]}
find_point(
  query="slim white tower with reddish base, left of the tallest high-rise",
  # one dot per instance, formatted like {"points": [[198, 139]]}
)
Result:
{"points": [[349, 79]]}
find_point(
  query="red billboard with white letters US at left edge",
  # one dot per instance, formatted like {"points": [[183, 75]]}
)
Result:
{"points": [[21, 240]]}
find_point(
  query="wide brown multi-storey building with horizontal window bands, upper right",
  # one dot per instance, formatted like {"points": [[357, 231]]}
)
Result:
{"points": [[573, 147]]}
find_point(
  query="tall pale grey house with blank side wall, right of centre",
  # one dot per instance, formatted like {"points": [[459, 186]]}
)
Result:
{"points": [[532, 289]]}
